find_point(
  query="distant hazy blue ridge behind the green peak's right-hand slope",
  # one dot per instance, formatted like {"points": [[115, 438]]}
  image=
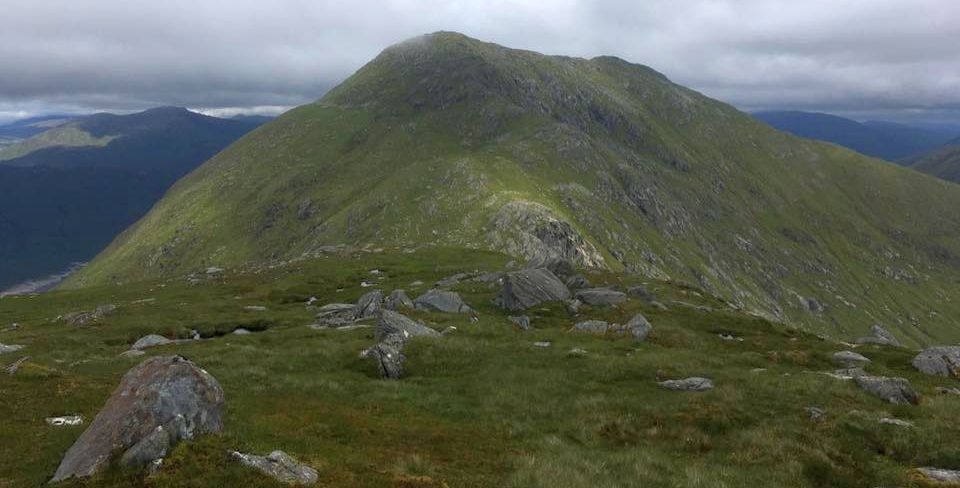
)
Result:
{"points": [[884, 140]]}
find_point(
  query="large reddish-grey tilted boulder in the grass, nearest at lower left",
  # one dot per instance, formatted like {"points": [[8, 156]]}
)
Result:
{"points": [[163, 400]]}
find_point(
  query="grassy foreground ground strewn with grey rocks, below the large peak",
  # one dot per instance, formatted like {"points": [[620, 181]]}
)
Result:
{"points": [[480, 407]]}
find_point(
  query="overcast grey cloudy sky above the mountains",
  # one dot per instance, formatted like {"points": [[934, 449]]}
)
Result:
{"points": [[884, 59]]}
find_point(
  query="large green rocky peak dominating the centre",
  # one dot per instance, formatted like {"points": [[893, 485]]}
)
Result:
{"points": [[446, 141]]}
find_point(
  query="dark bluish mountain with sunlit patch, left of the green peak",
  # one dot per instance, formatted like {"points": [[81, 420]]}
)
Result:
{"points": [[73, 188]]}
